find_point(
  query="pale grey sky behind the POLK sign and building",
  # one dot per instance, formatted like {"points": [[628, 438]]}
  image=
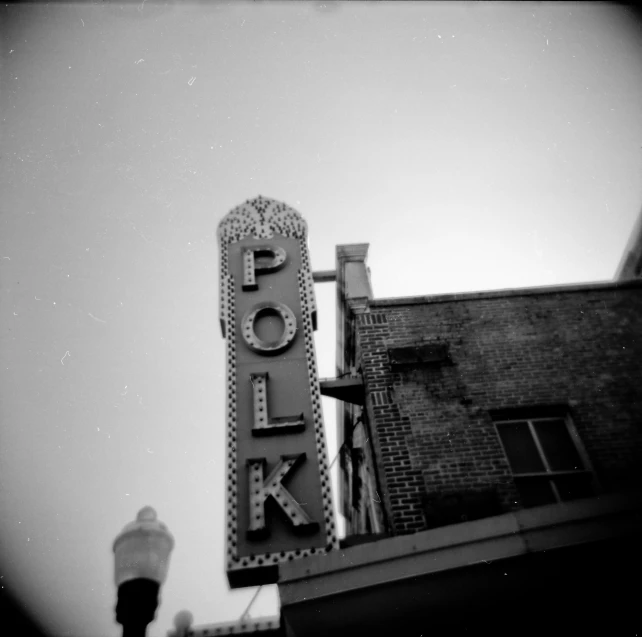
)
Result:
{"points": [[474, 146]]}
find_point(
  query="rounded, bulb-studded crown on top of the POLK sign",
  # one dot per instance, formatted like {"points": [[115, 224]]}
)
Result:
{"points": [[261, 218]]}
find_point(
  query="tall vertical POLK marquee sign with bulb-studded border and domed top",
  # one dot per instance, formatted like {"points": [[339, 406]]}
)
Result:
{"points": [[279, 501]]}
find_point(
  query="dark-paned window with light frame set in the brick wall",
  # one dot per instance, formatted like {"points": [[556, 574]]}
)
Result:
{"points": [[546, 459]]}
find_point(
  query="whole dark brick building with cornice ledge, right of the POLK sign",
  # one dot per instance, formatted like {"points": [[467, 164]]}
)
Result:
{"points": [[491, 461]]}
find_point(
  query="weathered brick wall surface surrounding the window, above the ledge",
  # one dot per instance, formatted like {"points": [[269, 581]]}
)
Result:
{"points": [[431, 427]]}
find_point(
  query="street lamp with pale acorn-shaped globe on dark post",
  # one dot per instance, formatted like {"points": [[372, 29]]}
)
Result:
{"points": [[141, 554]]}
